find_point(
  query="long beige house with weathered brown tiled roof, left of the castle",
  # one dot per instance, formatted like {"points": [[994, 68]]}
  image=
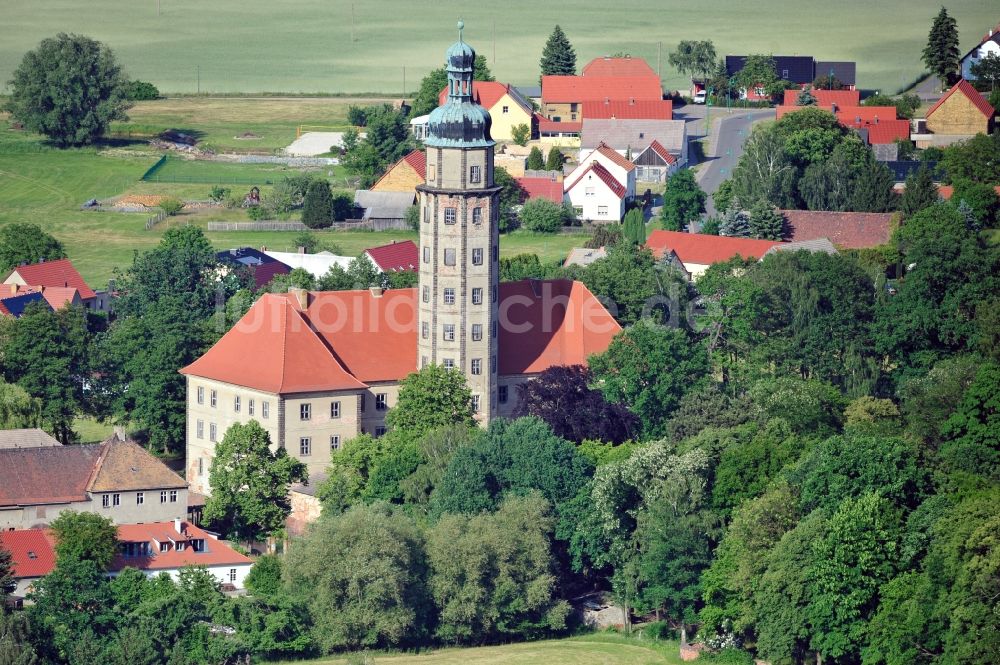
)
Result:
{"points": [[117, 479]]}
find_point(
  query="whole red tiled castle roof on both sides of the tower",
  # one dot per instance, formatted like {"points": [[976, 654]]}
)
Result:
{"points": [[375, 338]]}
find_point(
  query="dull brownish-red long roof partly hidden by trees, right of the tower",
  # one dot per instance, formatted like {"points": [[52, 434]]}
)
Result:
{"points": [[851, 230]]}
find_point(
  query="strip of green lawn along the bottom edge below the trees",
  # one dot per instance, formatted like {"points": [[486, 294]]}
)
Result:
{"points": [[599, 649]]}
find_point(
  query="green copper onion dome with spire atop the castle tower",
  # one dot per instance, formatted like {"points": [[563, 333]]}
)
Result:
{"points": [[460, 123]]}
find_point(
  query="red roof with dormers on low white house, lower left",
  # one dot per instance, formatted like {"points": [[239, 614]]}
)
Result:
{"points": [[216, 553]]}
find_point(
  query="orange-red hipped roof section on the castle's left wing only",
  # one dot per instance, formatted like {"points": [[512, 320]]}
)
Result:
{"points": [[273, 348]]}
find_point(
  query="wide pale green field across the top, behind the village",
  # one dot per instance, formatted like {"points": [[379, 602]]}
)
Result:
{"points": [[346, 46]]}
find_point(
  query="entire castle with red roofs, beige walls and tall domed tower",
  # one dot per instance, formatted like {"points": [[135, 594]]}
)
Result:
{"points": [[316, 369]]}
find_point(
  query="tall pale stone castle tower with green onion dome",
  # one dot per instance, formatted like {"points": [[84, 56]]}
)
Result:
{"points": [[459, 238]]}
